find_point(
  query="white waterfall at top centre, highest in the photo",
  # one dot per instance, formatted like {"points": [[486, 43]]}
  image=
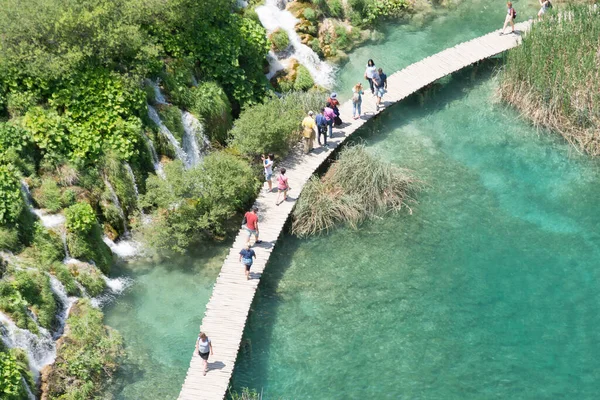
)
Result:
{"points": [[271, 17]]}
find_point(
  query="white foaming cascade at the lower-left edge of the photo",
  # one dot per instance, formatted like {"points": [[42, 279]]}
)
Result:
{"points": [[40, 349]]}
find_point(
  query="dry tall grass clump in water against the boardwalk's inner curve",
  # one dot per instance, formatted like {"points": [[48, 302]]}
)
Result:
{"points": [[358, 185]]}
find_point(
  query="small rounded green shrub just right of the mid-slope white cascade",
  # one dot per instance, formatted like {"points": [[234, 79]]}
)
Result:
{"points": [[211, 106]]}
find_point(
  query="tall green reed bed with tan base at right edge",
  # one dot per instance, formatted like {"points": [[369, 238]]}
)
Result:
{"points": [[553, 78]]}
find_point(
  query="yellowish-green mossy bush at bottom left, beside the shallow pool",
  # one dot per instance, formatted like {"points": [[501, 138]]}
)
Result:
{"points": [[87, 355]]}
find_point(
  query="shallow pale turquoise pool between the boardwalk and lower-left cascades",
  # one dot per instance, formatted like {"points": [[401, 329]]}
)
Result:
{"points": [[159, 316]]}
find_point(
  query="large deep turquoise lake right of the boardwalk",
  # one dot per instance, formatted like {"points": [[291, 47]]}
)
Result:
{"points": [[489, 290]]}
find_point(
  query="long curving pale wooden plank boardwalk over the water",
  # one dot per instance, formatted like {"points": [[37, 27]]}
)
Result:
{"points": [[228, 308]]}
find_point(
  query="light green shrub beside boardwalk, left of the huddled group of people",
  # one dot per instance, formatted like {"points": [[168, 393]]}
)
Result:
{"points": [[273, 127]]}
